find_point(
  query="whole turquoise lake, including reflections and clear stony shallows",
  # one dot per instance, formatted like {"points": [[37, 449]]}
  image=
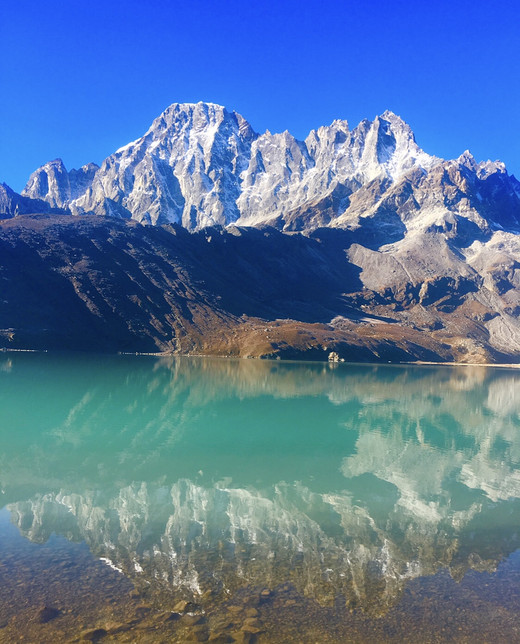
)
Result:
{"points": [[156, 499]]}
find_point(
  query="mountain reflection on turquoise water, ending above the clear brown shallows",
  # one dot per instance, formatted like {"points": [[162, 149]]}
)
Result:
{"points": [[207, 474]]}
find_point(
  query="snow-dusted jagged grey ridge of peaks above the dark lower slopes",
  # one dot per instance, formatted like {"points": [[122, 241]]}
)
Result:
{"points": [[200, 165]]}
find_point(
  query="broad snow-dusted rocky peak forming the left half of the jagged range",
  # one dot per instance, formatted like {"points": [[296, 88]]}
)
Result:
{"points": [[185, 169]]}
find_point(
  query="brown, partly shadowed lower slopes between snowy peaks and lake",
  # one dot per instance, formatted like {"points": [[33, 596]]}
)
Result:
{"points": [[99, 283]]}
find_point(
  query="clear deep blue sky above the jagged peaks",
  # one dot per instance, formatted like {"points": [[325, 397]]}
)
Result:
{"points": [[79, 78]]}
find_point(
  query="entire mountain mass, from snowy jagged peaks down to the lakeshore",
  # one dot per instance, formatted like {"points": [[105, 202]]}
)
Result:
{"points": [[403, 255]]}
